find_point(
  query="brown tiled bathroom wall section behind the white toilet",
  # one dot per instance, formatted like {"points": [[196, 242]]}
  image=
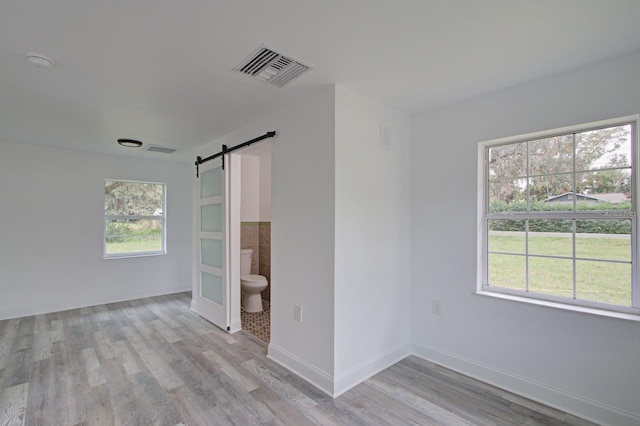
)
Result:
{"points": [[257, 236]]}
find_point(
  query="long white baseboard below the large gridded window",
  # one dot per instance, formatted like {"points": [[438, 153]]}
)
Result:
{"points": [[568, 402]]}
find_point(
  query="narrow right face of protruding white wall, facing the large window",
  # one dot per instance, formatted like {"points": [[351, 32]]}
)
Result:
{"points": [[372, 239]]}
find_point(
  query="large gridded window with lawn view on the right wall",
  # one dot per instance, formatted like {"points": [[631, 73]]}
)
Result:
{"points": [[557, 217]]}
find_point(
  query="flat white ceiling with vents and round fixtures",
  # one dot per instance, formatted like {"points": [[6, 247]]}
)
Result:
{"points": [[160, 70]]}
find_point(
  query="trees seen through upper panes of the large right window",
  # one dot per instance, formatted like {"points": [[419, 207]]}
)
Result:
{"points": [[601, 159]]}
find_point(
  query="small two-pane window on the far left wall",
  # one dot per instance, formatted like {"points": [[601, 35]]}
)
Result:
{"points": [[134, 218]]}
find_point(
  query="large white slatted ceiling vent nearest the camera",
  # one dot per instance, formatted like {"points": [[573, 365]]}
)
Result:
{"points": [[271, 67]]}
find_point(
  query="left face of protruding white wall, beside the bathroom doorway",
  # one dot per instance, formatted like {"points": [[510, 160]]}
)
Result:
{"points": [[302, 223]]}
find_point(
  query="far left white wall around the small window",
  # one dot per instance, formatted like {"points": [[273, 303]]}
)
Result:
{"points": [[52, 230]]}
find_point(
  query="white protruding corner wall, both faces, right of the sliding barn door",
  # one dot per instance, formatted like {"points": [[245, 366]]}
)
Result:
{"points": [[340, 234]]}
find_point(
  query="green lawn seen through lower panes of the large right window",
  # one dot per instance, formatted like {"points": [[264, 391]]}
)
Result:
{"points": [[595, 280]]}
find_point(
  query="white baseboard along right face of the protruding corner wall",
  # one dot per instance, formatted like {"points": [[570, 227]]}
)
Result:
{"points": [[368, 368]]}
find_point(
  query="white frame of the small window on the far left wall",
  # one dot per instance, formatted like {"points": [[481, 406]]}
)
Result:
{"points": [[162, 218]]}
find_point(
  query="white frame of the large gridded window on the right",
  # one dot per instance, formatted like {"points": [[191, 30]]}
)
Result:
{"points": [[483, 217]]}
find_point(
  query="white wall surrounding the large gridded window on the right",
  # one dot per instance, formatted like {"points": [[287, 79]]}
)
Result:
{"points": [[581, 363]]}
